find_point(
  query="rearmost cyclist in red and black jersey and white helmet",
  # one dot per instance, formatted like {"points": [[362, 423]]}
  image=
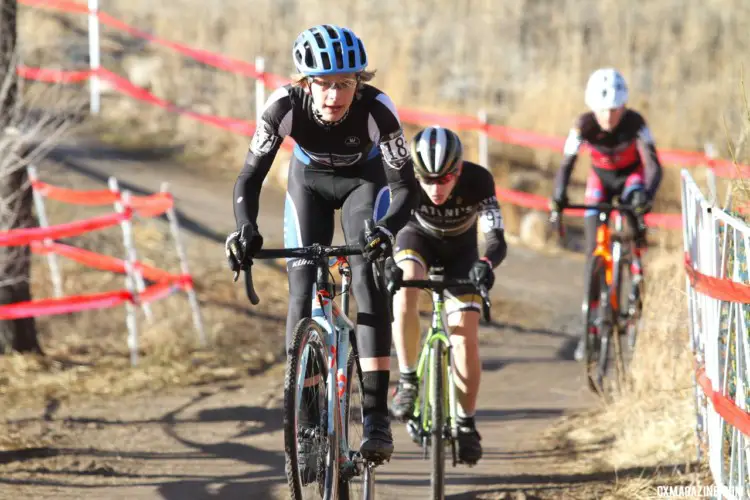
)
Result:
{"points": [[623, 157]]}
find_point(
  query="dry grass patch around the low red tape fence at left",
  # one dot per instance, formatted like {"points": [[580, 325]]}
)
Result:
{"points": [[87, 353]]}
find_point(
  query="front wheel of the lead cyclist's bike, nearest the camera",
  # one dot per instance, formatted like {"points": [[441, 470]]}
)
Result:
{"points": [[310, 451]]}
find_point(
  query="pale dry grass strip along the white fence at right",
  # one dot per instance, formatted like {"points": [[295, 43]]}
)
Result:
{"points": [[651, 423]]}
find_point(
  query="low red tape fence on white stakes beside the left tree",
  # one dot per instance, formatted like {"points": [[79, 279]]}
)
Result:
{"points": [[41, 241]]}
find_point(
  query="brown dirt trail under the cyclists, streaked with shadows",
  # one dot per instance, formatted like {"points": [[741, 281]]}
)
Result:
{"points": [[225, 440]]}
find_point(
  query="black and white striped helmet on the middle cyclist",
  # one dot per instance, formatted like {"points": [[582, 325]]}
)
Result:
{"points": [[436, 152]]}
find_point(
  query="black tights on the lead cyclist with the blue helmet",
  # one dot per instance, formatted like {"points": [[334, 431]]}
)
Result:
{"points": [[314, 195]]}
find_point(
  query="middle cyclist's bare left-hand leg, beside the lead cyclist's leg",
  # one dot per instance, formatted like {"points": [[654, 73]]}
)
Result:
{"points": [[412, 253]]}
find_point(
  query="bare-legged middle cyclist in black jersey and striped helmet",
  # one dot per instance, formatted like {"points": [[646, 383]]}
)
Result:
{"points": [[456, 196]]}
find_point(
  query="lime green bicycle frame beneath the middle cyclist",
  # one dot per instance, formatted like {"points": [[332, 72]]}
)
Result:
{"points": [[437, 333]]}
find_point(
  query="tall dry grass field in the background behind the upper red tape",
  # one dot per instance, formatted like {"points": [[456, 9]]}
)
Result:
{"points": [[525, 62]]}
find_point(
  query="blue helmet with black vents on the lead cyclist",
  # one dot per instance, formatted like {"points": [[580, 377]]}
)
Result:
{"points": [[327, 50]]}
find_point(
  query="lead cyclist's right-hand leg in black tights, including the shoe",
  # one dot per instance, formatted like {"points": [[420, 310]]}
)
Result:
{"points": [[373, 322]]}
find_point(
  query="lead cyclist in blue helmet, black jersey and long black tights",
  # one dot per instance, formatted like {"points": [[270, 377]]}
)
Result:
{"points": [[350, 151]]}
